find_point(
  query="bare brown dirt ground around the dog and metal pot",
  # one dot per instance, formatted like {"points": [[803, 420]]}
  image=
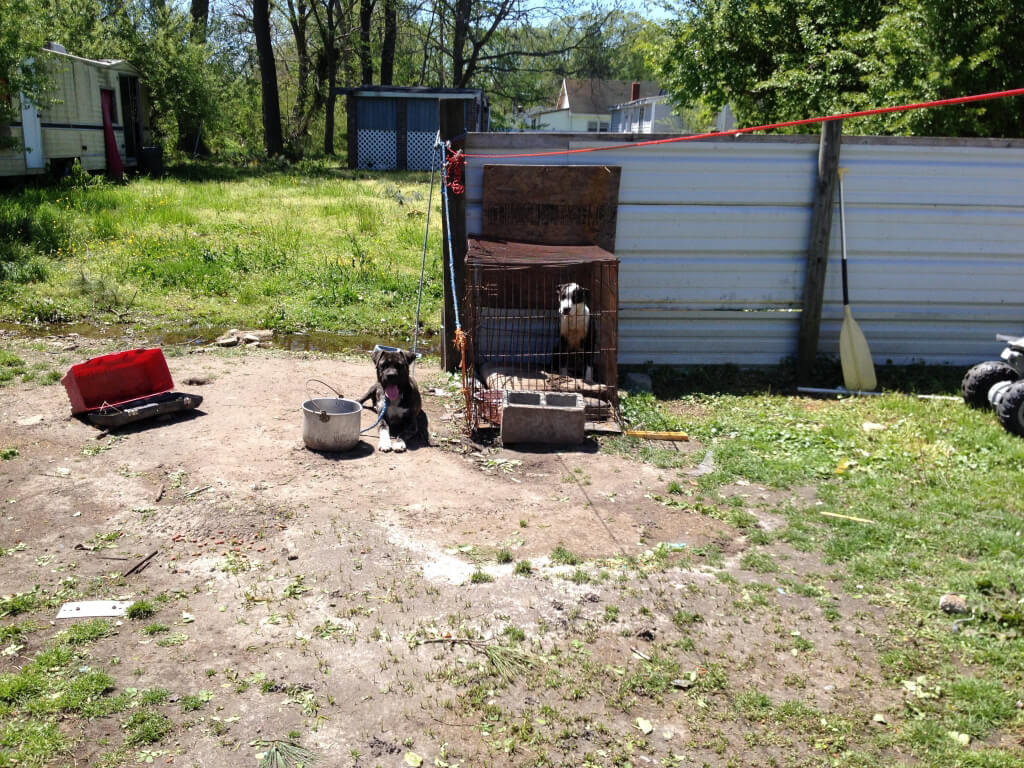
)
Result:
{"points": [[315, 593]]}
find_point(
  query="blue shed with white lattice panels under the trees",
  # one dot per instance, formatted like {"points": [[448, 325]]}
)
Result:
{"points": [[394, 129]]}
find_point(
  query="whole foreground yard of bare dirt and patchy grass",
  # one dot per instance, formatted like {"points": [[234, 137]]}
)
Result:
{"points": [[623, 605]]}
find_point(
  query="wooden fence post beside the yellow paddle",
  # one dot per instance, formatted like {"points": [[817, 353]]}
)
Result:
{"points": [[818, 249]]}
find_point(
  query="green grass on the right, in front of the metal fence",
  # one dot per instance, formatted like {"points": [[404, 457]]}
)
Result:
{"points": [[944, 489]]}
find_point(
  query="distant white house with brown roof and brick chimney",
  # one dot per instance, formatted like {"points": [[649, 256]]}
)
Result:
{"points": [[586, 105]]}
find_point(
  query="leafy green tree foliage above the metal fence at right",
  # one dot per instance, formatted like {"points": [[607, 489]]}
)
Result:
{"points": [[787, 60]]}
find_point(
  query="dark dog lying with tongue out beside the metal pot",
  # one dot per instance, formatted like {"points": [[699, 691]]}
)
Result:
{"points": [[397, 395]]}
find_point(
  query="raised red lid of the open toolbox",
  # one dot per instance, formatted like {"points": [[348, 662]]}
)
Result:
{"points": [[116, 379]]}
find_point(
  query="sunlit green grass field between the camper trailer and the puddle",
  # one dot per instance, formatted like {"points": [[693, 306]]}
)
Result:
{"points": [[285, 250]]}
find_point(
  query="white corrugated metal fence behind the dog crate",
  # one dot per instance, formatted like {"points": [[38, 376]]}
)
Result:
{"points": [[713, 237]]}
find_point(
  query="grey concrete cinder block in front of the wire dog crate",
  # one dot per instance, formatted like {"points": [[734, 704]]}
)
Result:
{"points": [[550, 418]]}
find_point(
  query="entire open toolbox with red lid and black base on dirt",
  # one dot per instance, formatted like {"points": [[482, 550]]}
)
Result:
{"points": [[123, 388]]}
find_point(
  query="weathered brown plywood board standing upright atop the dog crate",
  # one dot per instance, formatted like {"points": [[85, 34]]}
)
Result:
{"points": [[558, 205]]}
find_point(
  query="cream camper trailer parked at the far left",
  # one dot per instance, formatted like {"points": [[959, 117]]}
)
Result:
{"points": [[95, 113]]}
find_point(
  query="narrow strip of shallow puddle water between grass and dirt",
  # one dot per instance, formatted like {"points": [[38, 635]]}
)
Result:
{"points": [[314, 342]]}
